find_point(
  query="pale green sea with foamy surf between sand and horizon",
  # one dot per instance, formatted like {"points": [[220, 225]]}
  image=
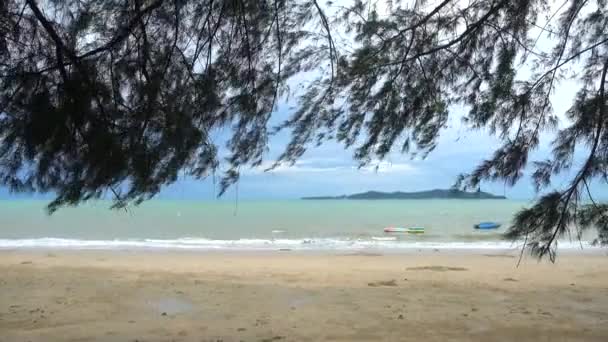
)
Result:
{"points": [[260, 225]]}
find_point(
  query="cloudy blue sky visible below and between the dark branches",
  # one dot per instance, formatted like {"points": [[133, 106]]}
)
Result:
{"points": [[330, 169]]}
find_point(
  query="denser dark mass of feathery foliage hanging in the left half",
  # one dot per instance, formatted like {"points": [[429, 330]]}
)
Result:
{"points": [[120, 96]]}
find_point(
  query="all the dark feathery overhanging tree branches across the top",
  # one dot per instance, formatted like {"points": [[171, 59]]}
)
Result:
{"points": [[121, 96]]}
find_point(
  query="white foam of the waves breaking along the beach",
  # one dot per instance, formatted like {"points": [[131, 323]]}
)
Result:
{"points": [[320, 244]]}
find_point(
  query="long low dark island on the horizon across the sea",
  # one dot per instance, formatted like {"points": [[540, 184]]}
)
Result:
{"points": [[430, 194]]}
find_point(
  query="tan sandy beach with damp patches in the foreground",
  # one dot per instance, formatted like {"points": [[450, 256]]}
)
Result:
{"points": [[284, 296]]}
